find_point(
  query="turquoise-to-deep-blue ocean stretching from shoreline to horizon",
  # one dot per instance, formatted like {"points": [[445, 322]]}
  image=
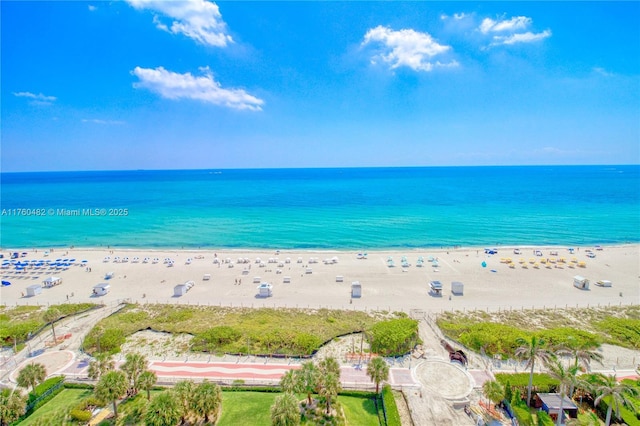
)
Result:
{"points": [[351, 208]]}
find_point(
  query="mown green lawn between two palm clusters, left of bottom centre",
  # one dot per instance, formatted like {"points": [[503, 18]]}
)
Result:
{"points": [[239, 408]]}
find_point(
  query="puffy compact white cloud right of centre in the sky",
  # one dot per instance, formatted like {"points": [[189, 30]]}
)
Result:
{"points": [[407, 48]]}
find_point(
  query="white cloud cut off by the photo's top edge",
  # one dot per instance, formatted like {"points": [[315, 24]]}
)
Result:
{"points": [[197, 19]]}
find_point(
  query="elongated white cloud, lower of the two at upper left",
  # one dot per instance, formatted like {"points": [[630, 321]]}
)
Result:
{"points": [[204, 88]]}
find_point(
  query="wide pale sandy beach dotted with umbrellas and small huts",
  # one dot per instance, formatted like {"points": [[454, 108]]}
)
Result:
{"points": [[531, 281]]}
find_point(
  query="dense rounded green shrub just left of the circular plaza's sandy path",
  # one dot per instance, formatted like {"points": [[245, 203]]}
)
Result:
{"points": [[394, 337]]}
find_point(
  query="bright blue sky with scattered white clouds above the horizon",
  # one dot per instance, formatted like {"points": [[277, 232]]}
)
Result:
{"points": [[145, 84]]}
